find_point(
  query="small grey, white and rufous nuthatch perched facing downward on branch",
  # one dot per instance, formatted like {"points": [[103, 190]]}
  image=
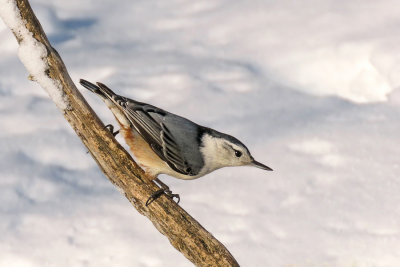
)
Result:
{"points": [[165, 143]]}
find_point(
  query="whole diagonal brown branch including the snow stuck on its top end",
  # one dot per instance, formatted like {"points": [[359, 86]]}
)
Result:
{"points": [[46, 67]]}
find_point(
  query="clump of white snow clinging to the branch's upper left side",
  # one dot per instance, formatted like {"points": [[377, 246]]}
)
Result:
{"points": [[32, 53]]}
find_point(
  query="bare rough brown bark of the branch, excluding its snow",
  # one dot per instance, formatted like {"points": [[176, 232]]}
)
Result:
{"points": [[183, 231]]}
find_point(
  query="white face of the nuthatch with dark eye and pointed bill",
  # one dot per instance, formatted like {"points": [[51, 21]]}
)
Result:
{"points": [[220, 153]]}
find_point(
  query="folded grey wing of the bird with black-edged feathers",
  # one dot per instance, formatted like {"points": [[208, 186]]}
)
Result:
{"points": [[174, 139]]}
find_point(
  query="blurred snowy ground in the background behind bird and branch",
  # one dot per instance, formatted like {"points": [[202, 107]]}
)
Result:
{"points": [[311, 87]]}
